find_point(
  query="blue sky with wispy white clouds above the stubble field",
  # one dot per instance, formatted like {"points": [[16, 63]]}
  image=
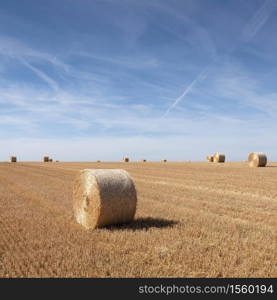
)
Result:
{"points": [[179, 79]]}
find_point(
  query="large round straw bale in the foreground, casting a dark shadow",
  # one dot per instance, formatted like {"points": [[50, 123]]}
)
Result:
{"points": [[103, 197]]}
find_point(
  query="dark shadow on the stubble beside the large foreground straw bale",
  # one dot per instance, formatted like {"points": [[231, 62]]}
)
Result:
{"points": [[143, 224]]}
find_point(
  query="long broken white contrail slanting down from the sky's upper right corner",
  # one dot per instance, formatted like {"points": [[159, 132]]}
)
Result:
{"points": [[249, 31]]}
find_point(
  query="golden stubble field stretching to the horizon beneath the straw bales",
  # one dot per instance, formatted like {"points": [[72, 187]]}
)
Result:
{"points": [[192, 220]]}
